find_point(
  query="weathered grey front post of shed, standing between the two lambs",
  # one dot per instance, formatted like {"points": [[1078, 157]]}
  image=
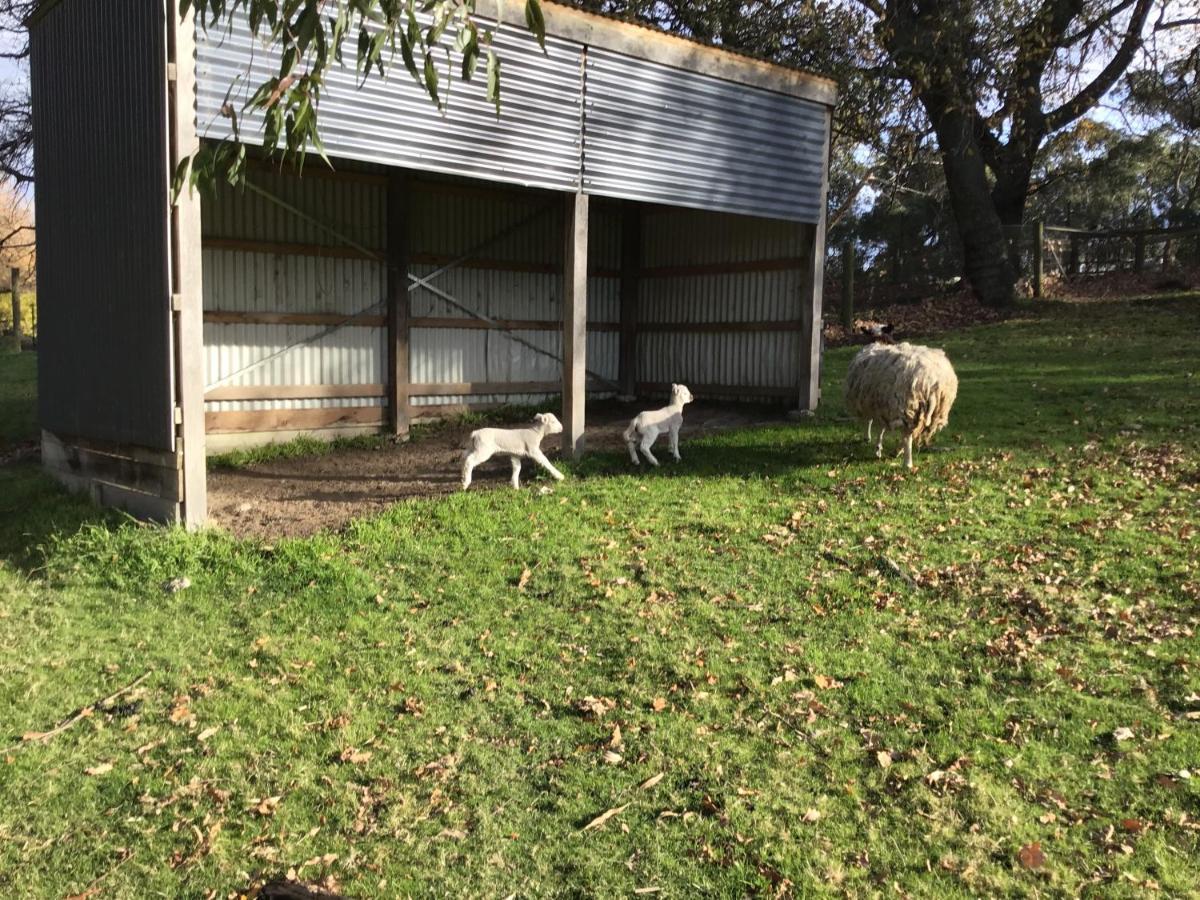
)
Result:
{"points": [[575, 325]]}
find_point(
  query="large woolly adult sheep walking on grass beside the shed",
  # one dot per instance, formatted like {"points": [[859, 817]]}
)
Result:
{"points": [[904, 387]]}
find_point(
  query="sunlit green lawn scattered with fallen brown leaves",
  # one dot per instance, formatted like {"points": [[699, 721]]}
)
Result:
{"points": [[779, 668]]}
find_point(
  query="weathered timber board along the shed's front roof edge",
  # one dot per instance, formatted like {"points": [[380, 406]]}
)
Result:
{"points": [[650, 44]]}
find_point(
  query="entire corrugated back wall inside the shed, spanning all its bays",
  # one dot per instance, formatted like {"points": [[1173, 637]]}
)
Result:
{"points": [[266, 267]]}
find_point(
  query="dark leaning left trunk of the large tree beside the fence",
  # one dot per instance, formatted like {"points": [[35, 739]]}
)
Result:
{"points": [[986, 256]]}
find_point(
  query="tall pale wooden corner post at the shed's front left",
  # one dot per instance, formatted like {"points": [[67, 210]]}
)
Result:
{"points": [[187, 272]]}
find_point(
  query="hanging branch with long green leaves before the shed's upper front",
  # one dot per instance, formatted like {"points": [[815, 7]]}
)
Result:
{"points": [[310, 38]]}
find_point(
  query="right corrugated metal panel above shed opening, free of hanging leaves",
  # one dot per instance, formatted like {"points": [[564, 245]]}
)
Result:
{"points": [[659, 135]]}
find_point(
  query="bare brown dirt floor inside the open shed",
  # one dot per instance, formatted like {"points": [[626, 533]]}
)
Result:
{"points": [[302, 496]]}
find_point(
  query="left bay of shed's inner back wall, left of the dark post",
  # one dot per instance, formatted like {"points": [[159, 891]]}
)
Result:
{"points": [[263, 261]]}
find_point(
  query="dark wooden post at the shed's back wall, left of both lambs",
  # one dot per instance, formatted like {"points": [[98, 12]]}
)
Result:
{"points": [[399, 304]]}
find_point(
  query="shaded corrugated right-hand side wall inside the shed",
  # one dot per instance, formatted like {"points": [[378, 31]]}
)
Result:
{"points": [[721, 304]]}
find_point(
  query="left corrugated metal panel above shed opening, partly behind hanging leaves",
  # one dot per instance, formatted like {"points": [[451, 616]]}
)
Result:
{"points": [[536, 142]]}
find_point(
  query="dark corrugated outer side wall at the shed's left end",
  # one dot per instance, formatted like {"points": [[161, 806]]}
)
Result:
{"points": [[99, 89]]}
